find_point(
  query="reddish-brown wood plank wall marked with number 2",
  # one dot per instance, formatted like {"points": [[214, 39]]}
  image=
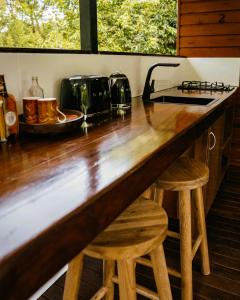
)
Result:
{"points": [[209, 28]]}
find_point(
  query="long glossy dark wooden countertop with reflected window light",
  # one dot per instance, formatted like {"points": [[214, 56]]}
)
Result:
{"points": [[57, 193]]}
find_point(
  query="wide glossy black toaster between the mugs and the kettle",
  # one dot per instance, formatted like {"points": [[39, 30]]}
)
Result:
{"points": [[87, 93]]}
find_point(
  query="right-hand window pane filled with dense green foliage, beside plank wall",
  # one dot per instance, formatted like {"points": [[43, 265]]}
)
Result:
{"points": [[137, 26]]}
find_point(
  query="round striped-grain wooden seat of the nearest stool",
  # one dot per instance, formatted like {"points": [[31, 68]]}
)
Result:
{"points": [[137, 231]]}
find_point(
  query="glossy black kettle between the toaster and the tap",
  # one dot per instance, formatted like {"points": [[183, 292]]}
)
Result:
{"points": [[119, 89]]}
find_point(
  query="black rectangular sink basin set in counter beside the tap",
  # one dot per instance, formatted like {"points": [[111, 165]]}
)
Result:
{"points": [[184, 100]]}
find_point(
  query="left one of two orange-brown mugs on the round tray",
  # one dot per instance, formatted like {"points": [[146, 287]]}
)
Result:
{"points": [[30, 109]]}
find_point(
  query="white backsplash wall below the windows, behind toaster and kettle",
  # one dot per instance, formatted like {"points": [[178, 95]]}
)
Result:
{"points": [[19, 68]]}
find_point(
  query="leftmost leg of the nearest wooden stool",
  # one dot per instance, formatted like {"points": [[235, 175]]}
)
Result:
{"points": [[73, 278]]}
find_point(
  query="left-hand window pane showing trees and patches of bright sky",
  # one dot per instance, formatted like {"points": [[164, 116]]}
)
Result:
{"points": [[40, 24]]}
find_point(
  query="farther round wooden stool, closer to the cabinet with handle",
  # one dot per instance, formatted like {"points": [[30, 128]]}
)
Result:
{"points": [[186, 175]]}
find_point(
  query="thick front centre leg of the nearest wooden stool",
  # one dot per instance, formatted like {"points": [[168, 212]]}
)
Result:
{"points": [[127, 279]]}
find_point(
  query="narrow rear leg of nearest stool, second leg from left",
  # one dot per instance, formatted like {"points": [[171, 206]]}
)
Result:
{"points": [[109, 270]]}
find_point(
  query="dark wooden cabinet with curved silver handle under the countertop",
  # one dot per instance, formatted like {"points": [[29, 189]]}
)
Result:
{"points": [[213, 148]]}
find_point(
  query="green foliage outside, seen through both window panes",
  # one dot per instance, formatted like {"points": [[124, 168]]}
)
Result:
{"points": [[143, 26]]}
